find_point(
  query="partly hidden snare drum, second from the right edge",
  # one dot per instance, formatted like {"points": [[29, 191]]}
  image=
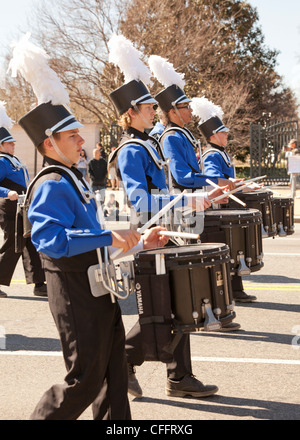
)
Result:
{"points": [[263, 201]]}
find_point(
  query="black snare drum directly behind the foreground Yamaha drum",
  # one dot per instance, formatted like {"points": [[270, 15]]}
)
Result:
{"points": [[241, 230]]}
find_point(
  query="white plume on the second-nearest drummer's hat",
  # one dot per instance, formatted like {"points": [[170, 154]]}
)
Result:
{"points": [[123, 54]]}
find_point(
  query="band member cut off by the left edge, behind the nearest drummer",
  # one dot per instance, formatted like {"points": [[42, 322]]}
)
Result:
{"points": [[14, 180]]}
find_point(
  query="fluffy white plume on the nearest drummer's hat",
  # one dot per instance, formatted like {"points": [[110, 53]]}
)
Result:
{"points": [[32, 63]]}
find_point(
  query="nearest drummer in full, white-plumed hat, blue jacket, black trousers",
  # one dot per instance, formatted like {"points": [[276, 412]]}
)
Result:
{"points": [[66, 231]]}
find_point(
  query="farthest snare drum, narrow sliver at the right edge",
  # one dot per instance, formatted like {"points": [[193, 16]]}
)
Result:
{"points": [[283, 209]]}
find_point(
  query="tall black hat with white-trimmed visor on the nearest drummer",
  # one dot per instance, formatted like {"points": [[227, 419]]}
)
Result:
{"points": [[47, 119]]}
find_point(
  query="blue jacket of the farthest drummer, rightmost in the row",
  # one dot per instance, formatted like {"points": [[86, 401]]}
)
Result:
{"points": [[215, 165]]}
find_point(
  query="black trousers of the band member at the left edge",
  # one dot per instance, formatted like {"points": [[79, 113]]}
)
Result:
{"points": [[9, 258]]}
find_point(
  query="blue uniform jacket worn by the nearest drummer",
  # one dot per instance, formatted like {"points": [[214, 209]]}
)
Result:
{"points": [[62, 225]]}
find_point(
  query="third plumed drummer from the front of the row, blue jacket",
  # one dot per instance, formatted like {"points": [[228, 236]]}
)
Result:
{"points": [[177, 141]]}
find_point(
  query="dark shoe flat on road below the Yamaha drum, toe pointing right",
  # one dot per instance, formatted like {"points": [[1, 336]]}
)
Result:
{"points": [[189, 386]]}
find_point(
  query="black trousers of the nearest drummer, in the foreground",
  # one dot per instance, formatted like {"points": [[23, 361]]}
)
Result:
{"points": [[93, 339]]}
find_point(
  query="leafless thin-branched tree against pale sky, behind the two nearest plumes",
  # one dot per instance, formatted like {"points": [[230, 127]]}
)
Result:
{"points": [[75, 35]]}
